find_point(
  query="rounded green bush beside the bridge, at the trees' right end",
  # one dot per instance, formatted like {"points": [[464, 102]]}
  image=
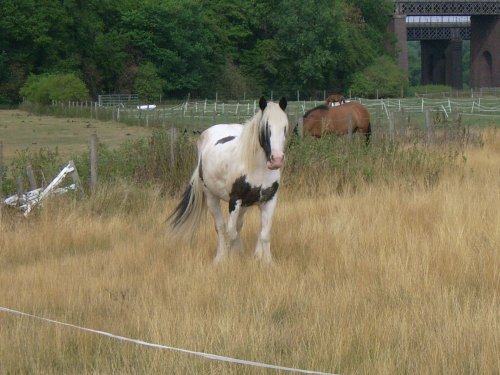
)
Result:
{"points": [[383, 78]]}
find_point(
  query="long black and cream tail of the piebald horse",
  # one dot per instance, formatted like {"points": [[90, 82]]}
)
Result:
{"points": [[186, 217]]}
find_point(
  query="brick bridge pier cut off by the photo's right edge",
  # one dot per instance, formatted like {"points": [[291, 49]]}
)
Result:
{"points": [[485, 51]]}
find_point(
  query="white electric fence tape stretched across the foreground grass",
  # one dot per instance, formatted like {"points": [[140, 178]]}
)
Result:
{"points": [[157, 346]]}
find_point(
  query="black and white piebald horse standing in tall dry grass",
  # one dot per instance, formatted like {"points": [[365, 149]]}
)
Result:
{"points": [[239, 164]]}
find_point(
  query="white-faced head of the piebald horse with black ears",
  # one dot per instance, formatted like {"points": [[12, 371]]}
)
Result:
{"points": [[273, 129]]}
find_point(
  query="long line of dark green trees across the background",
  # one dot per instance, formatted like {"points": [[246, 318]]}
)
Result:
{"points": [[173, 47]]}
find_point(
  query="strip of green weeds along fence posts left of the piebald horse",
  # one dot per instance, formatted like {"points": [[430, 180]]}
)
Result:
{"points": [[142, 161]]}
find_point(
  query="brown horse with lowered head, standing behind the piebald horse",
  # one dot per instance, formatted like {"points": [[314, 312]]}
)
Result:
{"points": [[335, 120]]}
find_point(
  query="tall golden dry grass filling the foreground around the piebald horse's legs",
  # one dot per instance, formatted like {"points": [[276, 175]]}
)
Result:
{"points": [[393, 278]]}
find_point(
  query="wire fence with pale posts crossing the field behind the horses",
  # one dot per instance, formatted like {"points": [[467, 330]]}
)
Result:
{"points": [[386, 114]]}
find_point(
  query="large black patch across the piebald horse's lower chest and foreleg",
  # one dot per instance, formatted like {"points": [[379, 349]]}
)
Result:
{"points": [[248, 194]]}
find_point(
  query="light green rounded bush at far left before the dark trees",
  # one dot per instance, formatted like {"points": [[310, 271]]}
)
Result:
{"points": [[43, 89]]}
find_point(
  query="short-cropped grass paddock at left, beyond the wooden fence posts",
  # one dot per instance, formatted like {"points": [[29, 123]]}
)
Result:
{"points": [[21, 130]]}
